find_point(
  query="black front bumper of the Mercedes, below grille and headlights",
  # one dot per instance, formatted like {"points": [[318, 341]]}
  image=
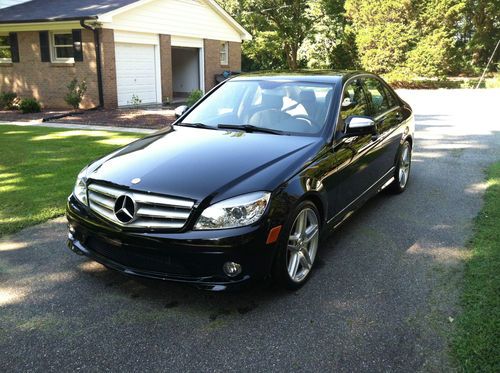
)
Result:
{"points": [[195, 257]]}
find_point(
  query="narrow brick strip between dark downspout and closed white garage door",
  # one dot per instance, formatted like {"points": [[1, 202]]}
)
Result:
{"points": [[108, 66]]}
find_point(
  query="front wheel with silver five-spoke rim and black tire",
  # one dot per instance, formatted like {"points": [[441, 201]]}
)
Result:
{"points": [[296, 252]]}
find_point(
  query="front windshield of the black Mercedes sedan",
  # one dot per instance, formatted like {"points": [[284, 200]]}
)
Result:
{"points": [[291, 107]]}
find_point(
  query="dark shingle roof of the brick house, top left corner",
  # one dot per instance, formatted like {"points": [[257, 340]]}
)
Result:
{"points": [[59, 10]]}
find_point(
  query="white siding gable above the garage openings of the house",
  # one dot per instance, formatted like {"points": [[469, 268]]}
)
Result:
{"points": [[192, 18]]}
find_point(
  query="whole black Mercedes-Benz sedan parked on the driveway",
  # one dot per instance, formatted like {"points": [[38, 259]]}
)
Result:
{"points": [[245, 183]]}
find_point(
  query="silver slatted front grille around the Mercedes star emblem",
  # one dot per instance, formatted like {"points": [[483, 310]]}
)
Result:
{"points": [[152, 211]]}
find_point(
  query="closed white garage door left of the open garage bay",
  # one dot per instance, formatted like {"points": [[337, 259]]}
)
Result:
{"points": [[136, 73]]}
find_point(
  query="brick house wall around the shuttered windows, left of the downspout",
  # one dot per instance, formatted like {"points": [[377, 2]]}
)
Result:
{"points": [[46, 81]]}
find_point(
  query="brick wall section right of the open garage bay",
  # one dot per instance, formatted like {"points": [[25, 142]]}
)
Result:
{"points": [[212, 60]]}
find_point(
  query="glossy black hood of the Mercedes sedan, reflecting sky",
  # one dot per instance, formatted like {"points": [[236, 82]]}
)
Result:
{"points": [[197, 163]]}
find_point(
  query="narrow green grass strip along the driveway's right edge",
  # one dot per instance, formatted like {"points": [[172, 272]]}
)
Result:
{"points": [[476, 344]]}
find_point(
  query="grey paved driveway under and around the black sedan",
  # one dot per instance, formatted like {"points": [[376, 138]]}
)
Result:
{"points": [[383, 296]]}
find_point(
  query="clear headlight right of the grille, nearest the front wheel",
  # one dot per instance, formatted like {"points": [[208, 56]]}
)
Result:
{"points": [[234, 212]]}
